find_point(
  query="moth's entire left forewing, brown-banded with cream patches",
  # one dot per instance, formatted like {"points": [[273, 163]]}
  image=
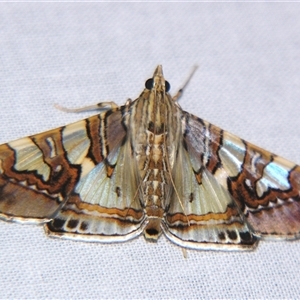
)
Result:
{"points": [[39, 172]]}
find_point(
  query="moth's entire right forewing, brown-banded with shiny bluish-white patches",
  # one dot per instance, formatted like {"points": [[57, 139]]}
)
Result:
{"points": [[264, 186]]}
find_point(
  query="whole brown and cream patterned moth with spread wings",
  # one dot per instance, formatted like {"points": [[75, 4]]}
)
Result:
{"points": [[148, 167]]}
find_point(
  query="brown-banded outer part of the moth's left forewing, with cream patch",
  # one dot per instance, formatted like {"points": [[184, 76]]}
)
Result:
{"points": [[29, 193]]}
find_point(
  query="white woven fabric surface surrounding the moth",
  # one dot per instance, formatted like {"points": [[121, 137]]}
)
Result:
{"points": [[77, 54]]}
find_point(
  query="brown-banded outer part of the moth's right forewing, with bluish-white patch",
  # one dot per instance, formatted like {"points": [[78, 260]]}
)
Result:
{"points": [[273, 209]]}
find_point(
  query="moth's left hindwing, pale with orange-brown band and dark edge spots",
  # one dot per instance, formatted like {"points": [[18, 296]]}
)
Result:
{"points": [[105, 205]]}
